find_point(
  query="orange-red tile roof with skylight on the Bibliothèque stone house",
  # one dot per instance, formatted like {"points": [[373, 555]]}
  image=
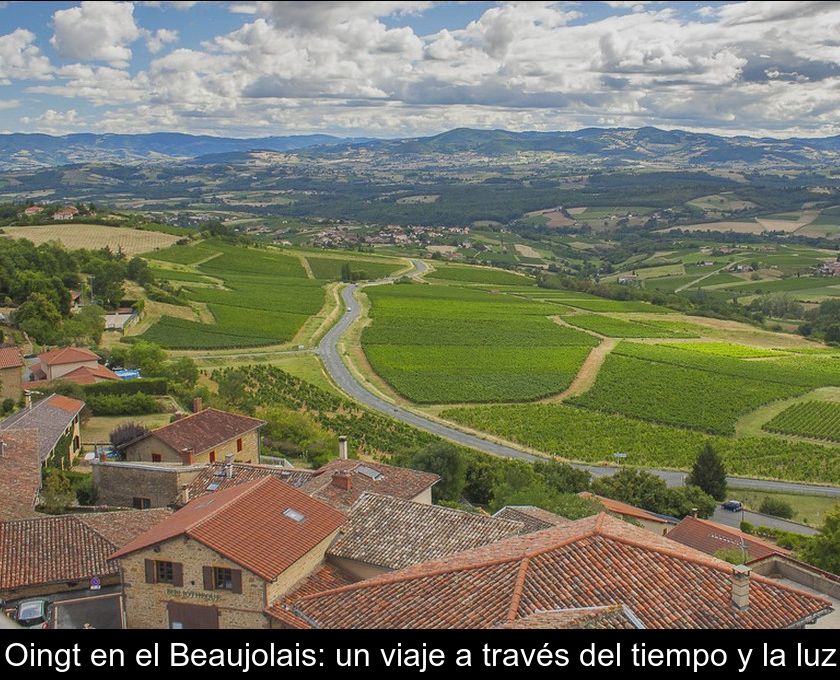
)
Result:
{"points": [[247, 524]]}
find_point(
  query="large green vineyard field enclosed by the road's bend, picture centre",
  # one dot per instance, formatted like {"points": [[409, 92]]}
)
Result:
{"points": [[442, 344]]}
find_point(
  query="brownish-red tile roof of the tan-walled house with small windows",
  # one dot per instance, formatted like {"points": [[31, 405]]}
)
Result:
{"points": [[204, 430]]}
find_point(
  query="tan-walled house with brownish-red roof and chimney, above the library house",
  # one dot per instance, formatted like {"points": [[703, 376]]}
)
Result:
{"points": [[206, 436]]}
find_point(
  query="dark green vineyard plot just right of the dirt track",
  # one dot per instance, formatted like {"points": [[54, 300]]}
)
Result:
{"points": [[676, 395]]}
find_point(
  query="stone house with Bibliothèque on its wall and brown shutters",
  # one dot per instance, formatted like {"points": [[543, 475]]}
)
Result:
{"points": [[221, 560]]}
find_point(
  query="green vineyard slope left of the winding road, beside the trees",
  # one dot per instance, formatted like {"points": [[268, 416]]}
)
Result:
{"points": [[266, 300]]}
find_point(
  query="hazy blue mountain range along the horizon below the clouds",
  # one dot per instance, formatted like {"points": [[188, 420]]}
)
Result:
{"points": [[615, 145]]}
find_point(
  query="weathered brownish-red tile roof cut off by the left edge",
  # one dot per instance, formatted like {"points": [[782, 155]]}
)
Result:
{"points": [[20, 473]]}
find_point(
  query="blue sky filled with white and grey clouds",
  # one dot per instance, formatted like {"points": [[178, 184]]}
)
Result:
{"points": [[404, 69]]}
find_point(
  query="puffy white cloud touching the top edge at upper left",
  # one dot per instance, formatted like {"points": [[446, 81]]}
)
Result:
{"points": [[96, 31]]}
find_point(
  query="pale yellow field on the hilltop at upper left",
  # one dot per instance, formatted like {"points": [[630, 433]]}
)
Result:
{"points": [[94, 236]]}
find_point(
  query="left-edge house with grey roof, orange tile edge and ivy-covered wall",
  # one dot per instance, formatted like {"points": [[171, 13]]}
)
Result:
{"points": [[57, 420]]}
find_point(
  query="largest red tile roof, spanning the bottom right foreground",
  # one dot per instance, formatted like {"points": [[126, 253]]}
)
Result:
{"points": [[594, 562]]}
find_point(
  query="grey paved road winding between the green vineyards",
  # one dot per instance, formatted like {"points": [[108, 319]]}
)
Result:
{"points": [[347, 382]]}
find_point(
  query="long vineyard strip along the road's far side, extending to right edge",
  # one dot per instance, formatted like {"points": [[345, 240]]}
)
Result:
{"points": [[590, 436]]}
